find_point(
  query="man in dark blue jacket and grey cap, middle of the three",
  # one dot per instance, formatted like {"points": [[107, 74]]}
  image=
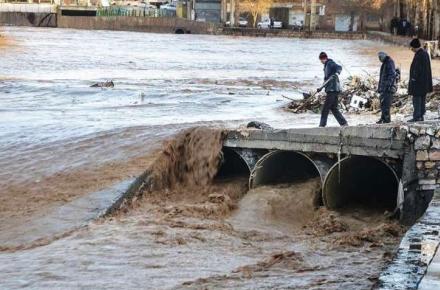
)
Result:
{"points": [[387, 86]]}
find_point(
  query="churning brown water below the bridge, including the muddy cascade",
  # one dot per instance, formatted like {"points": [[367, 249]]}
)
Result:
{"points": [[189, 229]]}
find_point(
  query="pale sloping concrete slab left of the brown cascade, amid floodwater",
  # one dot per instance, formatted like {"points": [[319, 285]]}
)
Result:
{"points": [[68, 217]]}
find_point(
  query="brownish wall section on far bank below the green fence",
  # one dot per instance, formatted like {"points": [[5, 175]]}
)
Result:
{"points": [[143, 24]]}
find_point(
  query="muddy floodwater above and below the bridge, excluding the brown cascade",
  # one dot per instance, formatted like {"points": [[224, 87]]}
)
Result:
{"points": [[60, 139]]}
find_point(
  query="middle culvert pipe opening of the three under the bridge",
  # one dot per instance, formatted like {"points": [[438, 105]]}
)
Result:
{"points": [[283, 167]]}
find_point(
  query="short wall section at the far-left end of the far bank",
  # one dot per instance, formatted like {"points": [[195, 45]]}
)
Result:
{"points": [[28, 19]]}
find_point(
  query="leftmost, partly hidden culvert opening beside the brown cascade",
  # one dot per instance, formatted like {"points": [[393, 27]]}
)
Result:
{"points": [[233, 165]]}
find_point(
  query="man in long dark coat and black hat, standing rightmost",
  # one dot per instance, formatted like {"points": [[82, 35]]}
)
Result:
{"points": [[420, 80]]}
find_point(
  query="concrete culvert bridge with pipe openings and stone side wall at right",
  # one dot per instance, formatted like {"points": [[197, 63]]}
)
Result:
{"points": [[390, 168]]}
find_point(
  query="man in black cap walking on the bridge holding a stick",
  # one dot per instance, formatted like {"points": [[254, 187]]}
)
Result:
{"points": [[333, 89]]}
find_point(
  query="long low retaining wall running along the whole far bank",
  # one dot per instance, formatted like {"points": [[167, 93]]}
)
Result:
{"points": [[173, 25]]}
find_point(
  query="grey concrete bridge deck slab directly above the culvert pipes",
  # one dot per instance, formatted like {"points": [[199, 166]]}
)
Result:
{"points": [[378, 141]]}
